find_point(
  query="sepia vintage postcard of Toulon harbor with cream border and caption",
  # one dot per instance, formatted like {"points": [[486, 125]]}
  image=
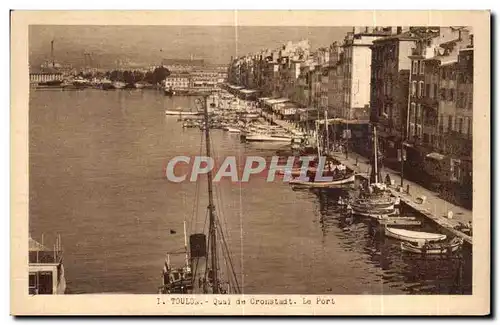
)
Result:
{"points": [[250, 163]]}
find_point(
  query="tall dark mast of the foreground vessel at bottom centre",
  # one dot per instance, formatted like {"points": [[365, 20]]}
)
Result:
{"points": [[211, 208]]}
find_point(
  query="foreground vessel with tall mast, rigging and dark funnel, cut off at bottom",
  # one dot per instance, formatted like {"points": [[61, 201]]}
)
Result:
{"points": [[201, 272]]}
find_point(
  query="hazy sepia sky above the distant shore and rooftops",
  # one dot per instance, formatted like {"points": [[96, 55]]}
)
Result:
{"points": [[148, 45]]}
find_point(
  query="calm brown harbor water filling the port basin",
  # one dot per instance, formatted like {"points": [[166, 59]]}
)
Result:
{"points": [[96, 178]]}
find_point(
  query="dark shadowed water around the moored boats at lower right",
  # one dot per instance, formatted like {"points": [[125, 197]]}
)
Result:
{"points": [[410, 273]]}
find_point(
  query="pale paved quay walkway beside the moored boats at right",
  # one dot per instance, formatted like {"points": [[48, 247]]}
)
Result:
{"points": [[433, 208]]}
